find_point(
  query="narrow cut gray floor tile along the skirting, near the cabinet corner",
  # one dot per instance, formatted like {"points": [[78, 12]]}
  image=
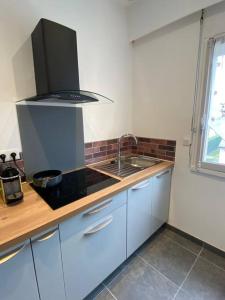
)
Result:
{"points": [[185, 242]]}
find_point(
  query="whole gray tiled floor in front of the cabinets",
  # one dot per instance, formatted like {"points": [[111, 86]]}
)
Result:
{"points": [[169, 266]]}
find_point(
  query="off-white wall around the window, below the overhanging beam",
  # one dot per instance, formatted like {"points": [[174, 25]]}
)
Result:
{"points": [[164, 77]]}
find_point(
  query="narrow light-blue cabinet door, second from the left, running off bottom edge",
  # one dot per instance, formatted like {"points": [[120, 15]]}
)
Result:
{"points": [[48, 265]]}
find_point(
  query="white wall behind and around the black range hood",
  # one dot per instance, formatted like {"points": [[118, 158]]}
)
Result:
{"points": [[104, 61]]}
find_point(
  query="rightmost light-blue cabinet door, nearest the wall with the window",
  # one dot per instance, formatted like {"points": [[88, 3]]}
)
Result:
{"points": [[161, 199]]}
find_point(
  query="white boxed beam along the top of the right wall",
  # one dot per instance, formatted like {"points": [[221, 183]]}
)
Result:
{"points": [[146, 16]]}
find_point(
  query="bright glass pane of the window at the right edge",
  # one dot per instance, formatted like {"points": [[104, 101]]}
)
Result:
{"points": [[214, 137]]}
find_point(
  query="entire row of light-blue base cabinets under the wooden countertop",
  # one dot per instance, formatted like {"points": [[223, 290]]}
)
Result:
{"points": [[93, 244]]}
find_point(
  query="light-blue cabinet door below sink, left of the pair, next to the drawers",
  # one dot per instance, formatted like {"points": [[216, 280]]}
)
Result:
{"points": [[138, 215]]}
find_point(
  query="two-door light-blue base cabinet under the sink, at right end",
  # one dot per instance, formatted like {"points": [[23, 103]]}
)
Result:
{"points": [[147, 209]]}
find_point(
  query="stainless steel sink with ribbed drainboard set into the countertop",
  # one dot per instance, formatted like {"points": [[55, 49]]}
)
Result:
{"points": [[128, 165]]}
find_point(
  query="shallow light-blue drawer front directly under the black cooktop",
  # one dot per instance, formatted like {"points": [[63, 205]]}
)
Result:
{"points": [[94, 213]]}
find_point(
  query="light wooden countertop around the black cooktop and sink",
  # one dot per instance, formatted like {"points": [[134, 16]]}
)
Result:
{"points": [[33, 215]]}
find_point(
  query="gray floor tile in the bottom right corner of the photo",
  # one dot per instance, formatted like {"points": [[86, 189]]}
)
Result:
{"points": [[205, 282]]}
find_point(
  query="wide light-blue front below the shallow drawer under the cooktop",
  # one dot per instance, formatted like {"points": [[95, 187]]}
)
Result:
{"points": [[93, 253]]}
